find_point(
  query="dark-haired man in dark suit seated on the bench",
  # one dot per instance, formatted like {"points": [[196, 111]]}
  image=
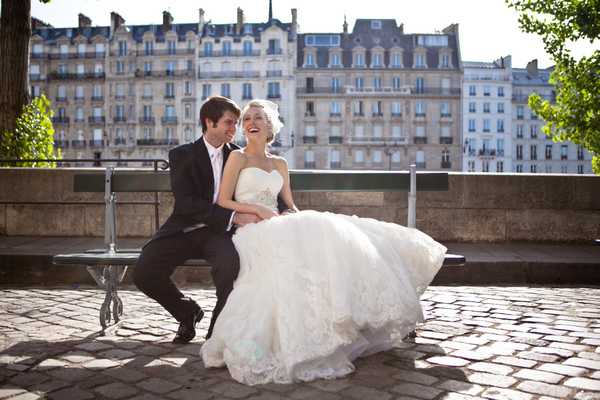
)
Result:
{"points": [[198, 227]]}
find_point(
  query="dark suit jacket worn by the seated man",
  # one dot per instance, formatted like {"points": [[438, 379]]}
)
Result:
{"points": [[192, 183]]}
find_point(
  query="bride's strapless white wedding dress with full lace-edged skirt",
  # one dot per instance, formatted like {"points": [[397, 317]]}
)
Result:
{"points": [[316, 290]]}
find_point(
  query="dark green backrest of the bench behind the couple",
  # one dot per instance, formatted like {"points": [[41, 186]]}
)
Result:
{"points": [[302, 181]]}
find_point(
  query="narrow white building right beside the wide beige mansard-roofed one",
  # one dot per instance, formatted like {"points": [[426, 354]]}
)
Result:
{"points": [[487, 116]]}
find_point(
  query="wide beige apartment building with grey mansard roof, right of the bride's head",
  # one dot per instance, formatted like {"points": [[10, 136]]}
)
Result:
{"points": [[378, 98]]}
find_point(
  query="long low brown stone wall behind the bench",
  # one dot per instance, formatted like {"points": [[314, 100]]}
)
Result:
{"points": [[476, 208]]}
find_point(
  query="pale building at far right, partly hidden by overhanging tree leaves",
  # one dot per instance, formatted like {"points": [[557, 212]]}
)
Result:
{"points": [[533, 152]]}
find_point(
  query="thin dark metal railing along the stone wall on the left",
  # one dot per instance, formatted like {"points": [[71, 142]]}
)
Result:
{"points": [[157, 163]]}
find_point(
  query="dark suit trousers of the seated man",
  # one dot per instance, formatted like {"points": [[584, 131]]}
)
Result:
{"points": [[160, 257]]}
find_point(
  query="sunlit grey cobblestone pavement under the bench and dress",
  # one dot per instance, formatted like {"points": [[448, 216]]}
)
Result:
{"points": [[477, 342]]}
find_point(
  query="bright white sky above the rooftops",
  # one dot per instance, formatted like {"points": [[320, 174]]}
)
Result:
{"points": [[488, 29]]}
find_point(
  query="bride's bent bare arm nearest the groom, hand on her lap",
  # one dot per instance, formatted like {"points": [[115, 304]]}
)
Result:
{"points": [[231, 172]]}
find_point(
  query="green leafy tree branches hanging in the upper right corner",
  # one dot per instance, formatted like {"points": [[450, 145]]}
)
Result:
{"points": [[575, 115]]}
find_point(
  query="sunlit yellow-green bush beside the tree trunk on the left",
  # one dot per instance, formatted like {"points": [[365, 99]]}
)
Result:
{"points": [[33, 136]]}
